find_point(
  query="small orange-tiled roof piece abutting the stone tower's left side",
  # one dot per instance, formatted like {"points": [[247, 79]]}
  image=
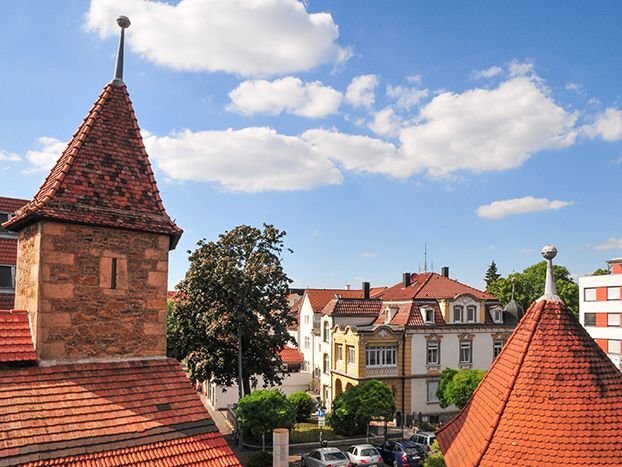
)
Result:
{"points": [[15, 341]]}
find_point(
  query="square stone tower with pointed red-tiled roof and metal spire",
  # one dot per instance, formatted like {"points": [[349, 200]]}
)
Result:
{"points": [[93, 243]]}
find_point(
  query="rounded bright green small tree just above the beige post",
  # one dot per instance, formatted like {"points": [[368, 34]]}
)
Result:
{"points": [[262, 411]]}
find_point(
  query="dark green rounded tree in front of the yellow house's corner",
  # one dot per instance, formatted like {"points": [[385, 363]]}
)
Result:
{"points": [[355, 408]]}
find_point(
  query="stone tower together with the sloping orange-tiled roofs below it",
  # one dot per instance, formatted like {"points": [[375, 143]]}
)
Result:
{"points": [[84, 378]]}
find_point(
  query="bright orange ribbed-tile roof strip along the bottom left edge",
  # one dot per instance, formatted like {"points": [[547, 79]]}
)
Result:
{"points": [[208, 449]]}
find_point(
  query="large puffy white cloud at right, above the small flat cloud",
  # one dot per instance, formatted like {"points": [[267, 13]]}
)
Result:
{"points": [[486, 129]]}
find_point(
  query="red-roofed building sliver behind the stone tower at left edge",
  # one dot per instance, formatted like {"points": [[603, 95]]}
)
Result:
{"points": [[8, 252]]}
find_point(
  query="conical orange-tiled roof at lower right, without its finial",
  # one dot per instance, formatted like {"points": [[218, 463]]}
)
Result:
{"points": [[552, 397]]}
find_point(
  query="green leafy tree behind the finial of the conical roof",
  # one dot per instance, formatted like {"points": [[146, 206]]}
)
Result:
{"points": [[530, 286]]}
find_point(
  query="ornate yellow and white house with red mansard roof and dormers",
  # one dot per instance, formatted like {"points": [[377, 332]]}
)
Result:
{"points": [[423, 324]]}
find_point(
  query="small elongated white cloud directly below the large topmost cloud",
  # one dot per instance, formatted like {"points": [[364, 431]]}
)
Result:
{"points": [[288, 94]]}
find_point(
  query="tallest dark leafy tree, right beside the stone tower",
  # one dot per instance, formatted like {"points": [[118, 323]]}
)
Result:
{"points": [[231, 316]]}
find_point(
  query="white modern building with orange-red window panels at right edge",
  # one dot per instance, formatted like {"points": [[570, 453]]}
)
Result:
{"points": [[600, 309]]}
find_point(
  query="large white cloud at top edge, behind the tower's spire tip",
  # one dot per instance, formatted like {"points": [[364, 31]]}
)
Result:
{"points": [[250, 38]]}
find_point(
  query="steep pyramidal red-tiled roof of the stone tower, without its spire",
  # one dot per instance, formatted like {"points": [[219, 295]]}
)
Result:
{"points": [[103, 177]]}
